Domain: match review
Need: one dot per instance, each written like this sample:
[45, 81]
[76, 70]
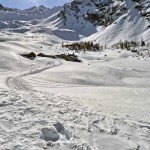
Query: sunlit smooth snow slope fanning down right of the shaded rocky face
[130, 26]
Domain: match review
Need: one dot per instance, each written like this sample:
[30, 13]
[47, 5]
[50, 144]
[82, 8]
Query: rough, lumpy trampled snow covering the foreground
[25, 116]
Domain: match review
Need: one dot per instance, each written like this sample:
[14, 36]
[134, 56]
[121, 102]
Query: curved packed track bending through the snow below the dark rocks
[19, 83]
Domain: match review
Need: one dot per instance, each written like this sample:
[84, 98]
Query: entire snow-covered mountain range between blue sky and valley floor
[101, 21]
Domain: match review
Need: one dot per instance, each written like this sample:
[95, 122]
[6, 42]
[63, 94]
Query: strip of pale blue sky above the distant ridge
[23, 4]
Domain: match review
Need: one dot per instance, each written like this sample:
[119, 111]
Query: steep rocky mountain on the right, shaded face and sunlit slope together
[108, 20]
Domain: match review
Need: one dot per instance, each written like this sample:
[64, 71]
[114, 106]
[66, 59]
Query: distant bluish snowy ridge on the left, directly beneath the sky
[24, 20]
